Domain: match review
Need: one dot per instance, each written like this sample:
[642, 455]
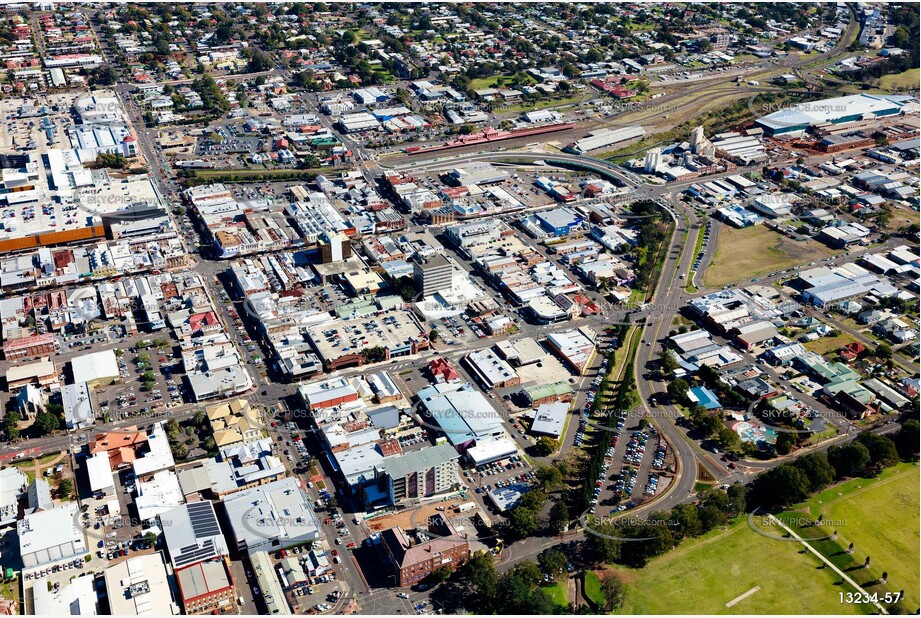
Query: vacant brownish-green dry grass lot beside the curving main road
[748, 252]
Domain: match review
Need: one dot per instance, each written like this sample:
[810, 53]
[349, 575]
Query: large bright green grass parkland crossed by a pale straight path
[704, 574]
